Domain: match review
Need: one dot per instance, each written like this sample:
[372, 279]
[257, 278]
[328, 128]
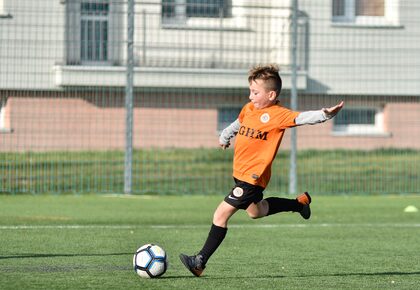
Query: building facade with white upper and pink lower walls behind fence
[63, 71]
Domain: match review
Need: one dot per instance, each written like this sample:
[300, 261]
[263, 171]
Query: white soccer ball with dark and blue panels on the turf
[150, 261]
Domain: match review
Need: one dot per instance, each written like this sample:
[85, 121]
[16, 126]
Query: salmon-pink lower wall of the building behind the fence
[64, 123]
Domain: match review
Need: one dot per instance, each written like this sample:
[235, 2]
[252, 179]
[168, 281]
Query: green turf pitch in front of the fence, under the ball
[87, 242]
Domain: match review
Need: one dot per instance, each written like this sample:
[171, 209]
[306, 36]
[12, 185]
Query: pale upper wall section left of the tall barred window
[31, 43]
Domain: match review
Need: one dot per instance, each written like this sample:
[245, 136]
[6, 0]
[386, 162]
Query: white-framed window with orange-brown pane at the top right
[365, 12]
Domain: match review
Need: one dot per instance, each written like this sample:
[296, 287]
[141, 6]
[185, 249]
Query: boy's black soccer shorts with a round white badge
[243, 194]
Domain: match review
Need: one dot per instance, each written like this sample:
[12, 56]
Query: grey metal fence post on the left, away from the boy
[128, 175]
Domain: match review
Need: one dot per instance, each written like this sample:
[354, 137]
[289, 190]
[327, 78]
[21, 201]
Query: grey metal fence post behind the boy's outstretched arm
[293, 102]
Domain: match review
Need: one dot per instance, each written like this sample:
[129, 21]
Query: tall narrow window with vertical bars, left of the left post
[94, 31]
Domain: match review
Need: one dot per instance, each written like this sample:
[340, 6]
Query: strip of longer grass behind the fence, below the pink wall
[207, 171]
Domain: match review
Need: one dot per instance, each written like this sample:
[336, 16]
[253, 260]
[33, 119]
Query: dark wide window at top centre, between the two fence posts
[178, 11]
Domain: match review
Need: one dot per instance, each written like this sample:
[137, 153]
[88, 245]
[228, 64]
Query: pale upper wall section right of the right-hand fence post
[363, 59]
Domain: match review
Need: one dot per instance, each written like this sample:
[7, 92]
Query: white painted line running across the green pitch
[118, 227]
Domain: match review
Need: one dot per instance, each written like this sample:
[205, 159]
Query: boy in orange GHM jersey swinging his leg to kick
[259, 130]
